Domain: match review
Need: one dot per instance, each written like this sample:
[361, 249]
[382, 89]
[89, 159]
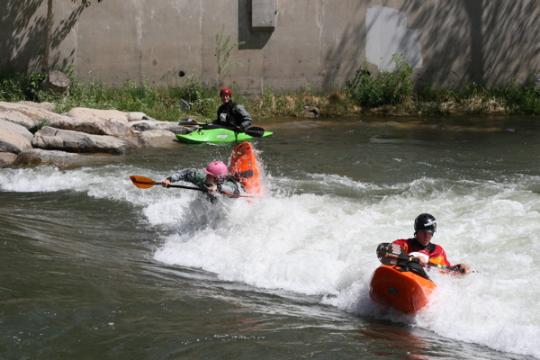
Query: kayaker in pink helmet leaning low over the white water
[214, 179]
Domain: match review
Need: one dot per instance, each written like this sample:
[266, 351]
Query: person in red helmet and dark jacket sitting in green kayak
[231, 115]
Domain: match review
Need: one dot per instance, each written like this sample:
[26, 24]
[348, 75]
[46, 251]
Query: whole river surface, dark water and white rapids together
[94, 268]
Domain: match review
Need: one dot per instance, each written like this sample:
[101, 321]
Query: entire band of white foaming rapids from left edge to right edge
[310, 243]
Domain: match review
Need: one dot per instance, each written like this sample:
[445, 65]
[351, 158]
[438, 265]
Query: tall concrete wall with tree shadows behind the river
[317, 44]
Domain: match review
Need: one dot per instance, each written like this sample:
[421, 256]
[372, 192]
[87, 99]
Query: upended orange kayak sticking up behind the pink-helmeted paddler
[244, 167]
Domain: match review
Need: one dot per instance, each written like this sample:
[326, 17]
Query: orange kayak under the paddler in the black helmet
[402, 290]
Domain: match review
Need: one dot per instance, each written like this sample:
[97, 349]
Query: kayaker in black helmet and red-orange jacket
[423, 249]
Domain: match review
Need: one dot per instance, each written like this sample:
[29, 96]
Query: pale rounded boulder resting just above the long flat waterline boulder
[98, 122]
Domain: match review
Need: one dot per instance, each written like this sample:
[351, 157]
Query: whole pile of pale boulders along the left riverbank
[32, 133]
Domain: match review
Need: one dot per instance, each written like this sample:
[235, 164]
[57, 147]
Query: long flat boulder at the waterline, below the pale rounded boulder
[74, 141]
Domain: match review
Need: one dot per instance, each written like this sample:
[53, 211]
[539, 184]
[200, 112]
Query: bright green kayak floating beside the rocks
[221, 135]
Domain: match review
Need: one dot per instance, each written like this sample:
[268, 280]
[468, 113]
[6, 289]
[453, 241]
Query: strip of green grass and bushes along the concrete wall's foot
[391, 93]
